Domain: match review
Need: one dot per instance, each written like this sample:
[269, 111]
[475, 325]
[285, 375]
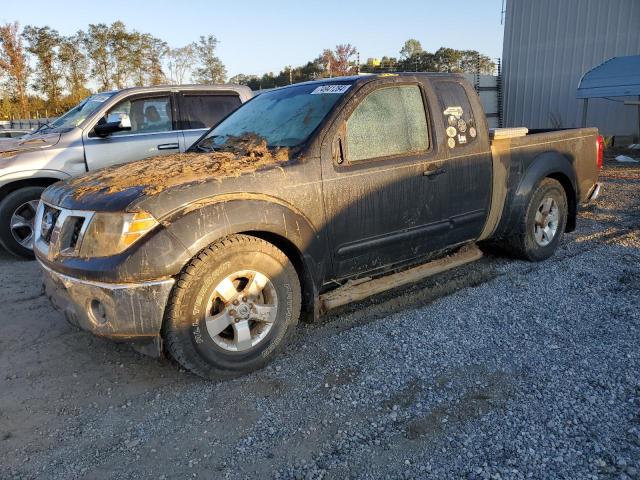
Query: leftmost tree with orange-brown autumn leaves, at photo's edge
[13, 64]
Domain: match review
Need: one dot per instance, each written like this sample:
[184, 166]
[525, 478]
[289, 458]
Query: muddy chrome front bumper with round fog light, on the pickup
[130, 311]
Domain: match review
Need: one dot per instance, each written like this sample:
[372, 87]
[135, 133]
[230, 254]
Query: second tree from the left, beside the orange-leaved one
[43, 43]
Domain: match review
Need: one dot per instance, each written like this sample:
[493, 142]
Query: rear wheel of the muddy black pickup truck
[533, 242]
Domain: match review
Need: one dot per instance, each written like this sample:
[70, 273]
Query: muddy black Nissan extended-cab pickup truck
[304, 199]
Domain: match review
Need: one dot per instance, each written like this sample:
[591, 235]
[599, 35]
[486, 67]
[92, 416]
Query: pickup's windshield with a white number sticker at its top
[284, 117]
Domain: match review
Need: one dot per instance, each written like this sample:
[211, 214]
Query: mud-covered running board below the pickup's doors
[355, 290]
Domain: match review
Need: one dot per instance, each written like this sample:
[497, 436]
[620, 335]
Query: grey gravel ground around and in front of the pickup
[500, 369]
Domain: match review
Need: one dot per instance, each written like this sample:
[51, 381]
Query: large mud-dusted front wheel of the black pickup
[203, 302]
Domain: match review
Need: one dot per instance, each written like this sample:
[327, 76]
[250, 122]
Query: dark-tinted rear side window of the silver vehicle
[204, 111]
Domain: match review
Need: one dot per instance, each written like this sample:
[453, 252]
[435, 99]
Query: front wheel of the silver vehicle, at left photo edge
[16, 209]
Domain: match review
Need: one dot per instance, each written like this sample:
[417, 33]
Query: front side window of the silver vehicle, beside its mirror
[147, 115]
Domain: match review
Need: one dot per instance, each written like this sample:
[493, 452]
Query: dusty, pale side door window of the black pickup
[389, 121]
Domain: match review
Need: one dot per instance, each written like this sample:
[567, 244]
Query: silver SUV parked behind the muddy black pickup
[104, 129]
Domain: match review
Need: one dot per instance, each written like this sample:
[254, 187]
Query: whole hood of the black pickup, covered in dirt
[117, 188]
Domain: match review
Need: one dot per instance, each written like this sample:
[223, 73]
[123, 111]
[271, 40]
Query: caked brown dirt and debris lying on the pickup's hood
[239, 155]
